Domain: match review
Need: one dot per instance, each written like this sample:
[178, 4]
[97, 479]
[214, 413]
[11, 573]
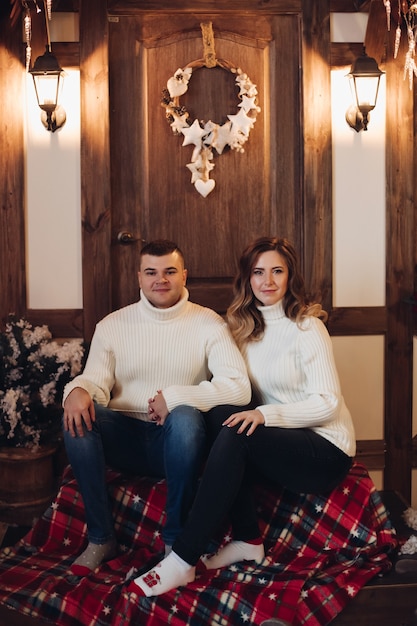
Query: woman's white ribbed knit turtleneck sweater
[293, 371]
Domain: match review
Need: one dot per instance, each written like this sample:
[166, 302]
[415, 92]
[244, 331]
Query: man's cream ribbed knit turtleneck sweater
[186, 351]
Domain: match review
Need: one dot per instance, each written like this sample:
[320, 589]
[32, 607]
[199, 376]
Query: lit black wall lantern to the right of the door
[365, 76]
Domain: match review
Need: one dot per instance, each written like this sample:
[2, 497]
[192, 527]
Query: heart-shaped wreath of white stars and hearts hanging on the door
[206, 136]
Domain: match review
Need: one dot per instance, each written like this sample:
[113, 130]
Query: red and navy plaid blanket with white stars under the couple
[320, 552]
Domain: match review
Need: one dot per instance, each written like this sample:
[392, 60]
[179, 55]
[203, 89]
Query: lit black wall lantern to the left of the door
[47, 77]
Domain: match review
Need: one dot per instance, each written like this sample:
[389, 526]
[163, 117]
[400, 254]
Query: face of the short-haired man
[162, 279]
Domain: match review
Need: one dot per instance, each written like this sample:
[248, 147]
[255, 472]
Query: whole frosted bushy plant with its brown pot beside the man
[34, 369]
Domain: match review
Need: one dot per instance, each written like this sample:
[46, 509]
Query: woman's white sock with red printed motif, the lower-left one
[170, 573]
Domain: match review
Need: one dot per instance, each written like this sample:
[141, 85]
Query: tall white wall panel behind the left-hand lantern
[53, 203]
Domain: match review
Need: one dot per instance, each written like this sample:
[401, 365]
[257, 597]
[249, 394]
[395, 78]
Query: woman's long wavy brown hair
[244, 318]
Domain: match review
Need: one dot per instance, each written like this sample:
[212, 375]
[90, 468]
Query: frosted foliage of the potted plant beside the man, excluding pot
[33, 372]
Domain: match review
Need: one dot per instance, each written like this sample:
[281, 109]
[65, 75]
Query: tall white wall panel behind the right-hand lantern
[358, 202]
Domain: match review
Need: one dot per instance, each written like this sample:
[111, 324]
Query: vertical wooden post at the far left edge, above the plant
[12, 166]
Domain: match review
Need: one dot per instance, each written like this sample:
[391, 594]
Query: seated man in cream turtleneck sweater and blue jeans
[154, 367]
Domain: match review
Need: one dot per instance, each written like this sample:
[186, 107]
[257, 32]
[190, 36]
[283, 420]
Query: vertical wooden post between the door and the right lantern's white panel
[317, 170]
